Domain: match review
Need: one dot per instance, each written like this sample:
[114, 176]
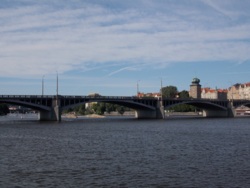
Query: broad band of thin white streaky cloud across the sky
[40, 38]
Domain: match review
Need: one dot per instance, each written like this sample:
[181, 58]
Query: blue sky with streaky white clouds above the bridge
[112, 46]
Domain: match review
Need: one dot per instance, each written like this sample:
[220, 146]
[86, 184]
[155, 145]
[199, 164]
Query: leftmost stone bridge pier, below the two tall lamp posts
[54, 114]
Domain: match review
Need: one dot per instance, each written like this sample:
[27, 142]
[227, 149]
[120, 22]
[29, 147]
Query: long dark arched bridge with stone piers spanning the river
[50, 107]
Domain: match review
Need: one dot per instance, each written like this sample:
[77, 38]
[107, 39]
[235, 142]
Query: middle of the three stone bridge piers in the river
[158, 113]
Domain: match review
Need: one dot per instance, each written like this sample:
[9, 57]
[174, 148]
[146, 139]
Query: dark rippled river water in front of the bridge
[125, 152]
